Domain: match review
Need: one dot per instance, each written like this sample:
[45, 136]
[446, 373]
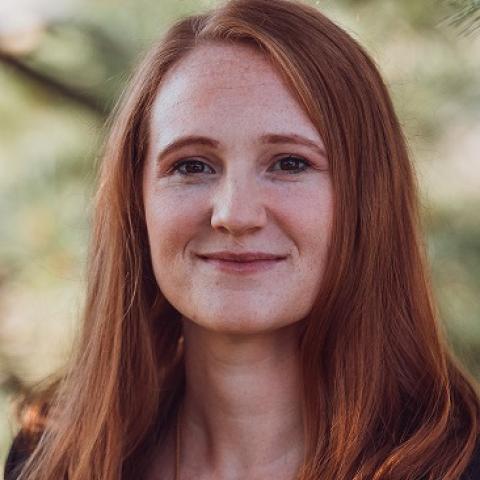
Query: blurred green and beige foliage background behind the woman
[63, 64]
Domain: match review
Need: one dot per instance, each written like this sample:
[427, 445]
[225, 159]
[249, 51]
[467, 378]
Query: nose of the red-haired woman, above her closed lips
[238, 205]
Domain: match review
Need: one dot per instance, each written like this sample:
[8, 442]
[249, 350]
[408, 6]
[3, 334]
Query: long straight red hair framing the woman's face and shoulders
[384, 396]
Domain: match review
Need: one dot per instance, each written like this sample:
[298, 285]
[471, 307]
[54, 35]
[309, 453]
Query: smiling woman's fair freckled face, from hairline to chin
[235, 165]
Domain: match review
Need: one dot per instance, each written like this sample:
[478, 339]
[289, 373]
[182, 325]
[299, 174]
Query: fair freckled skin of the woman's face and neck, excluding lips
[242, 415]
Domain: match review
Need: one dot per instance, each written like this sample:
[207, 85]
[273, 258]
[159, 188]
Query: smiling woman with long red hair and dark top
[258, 303]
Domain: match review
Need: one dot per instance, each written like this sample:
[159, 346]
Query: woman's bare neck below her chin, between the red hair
[242, 415]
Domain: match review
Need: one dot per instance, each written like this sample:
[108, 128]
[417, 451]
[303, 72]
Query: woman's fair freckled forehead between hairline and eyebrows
[224, 89]
